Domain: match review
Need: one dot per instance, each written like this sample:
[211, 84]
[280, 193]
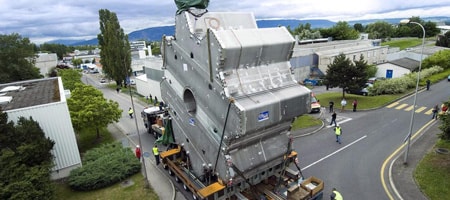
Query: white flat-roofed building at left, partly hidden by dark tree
[45, 101]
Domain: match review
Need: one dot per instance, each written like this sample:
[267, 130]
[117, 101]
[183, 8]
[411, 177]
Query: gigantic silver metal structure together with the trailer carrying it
[231, 98]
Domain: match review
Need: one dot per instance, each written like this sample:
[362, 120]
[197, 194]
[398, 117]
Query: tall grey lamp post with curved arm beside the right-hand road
[408, 138]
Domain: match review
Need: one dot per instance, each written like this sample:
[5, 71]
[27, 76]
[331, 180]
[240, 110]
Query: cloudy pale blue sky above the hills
[46, 20]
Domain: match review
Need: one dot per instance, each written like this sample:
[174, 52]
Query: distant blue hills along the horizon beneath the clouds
[156, 33]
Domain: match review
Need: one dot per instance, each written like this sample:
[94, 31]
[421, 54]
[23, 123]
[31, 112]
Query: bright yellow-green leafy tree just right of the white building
[88, 108]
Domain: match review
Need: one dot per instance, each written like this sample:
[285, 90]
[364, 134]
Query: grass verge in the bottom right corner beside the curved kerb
[433, 173]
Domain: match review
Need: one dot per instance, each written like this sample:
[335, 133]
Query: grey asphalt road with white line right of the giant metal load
[369, 137]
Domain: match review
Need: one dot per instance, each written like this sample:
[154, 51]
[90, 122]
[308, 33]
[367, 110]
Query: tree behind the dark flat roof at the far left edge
[17, 59]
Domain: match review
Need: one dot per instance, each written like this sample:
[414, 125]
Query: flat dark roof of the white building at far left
[30, 93]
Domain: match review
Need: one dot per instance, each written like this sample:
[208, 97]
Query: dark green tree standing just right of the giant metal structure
[346, 75]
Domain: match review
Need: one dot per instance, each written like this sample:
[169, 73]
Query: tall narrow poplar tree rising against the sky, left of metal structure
[115, 48]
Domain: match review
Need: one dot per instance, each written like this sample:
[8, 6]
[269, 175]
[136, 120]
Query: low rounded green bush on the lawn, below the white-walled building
[104, 166]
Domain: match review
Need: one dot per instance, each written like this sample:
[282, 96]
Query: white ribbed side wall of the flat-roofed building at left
[54, 119]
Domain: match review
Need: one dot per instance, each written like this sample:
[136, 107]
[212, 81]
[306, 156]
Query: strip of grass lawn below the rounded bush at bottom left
[135, 190]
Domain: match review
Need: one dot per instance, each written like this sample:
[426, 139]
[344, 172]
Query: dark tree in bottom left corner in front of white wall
[25, 160]
